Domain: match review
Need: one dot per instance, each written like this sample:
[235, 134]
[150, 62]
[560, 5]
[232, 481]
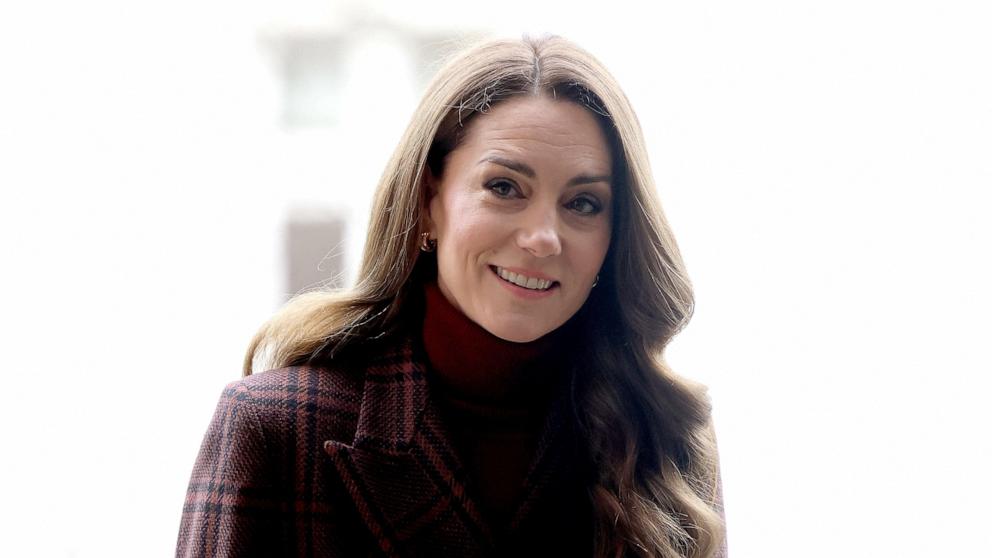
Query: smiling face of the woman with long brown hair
[522, 216]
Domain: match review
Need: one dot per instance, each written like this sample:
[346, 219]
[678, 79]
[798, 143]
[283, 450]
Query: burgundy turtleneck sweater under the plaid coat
[494, 395]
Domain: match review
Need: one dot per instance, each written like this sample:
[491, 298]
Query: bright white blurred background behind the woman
[171, 172]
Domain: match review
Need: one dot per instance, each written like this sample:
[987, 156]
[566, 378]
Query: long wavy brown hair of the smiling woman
[647, 431]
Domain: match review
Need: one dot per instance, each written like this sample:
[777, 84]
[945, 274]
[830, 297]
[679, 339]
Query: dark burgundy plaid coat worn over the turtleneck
[352, 459]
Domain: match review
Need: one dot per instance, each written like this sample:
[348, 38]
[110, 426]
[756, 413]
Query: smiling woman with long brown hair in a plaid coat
[493, 384]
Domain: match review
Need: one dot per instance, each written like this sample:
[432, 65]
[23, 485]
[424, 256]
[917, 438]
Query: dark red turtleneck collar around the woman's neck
[472, 364]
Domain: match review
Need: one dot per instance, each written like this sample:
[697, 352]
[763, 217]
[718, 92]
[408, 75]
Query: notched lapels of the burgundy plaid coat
[403, 472]
